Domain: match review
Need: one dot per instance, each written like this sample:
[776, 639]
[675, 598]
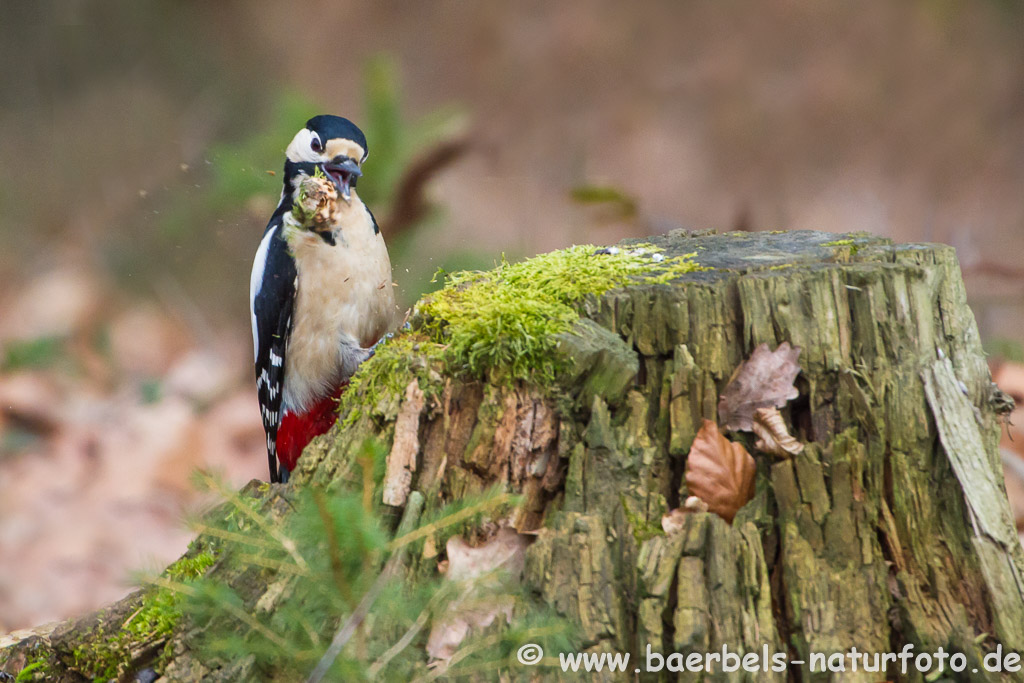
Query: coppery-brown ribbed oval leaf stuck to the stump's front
[720, 473]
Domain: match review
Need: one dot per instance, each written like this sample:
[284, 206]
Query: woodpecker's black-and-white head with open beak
[333, 145]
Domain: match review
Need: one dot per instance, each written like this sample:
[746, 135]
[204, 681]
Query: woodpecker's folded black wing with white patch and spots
[273, 300]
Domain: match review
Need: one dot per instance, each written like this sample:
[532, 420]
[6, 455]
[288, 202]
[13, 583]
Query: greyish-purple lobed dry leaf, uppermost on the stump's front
[764, 380]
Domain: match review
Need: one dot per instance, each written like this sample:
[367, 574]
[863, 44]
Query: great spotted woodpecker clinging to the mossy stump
[320, 294]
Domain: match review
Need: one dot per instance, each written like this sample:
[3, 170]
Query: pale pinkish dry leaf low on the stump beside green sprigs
[465, 564]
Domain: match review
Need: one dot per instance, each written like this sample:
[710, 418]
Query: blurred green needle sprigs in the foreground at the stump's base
[332, 552]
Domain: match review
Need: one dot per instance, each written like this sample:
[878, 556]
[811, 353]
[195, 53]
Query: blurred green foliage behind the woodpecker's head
[233, 192]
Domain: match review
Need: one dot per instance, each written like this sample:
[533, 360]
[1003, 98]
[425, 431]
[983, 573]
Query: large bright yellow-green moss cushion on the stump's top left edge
[500, 325]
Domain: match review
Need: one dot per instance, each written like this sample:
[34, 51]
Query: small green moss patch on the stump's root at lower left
[102, 655]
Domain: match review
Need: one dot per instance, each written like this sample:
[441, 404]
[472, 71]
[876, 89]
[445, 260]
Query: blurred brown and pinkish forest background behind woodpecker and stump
[142, 146]
